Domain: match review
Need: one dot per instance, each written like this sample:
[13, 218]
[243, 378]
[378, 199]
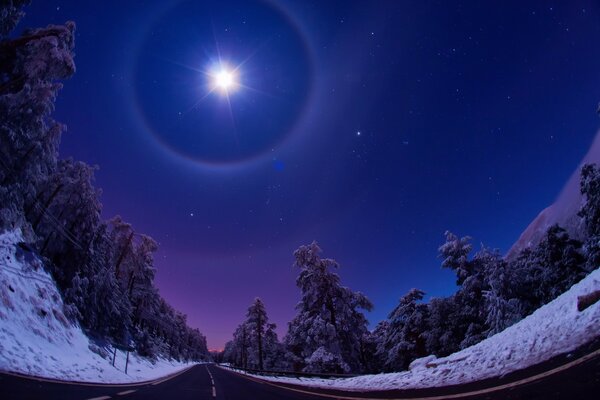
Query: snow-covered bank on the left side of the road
[37, 339]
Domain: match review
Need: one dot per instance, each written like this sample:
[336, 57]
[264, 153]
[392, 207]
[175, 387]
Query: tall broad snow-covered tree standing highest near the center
[328, 319]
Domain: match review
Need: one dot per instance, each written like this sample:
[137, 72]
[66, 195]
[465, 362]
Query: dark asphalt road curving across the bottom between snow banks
[210, 382]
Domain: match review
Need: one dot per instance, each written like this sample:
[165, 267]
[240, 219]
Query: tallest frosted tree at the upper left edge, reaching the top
[30, 67]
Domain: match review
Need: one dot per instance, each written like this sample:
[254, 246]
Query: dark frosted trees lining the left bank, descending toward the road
[104, 269]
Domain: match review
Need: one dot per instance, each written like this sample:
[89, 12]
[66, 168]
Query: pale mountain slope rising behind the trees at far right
[563, 211]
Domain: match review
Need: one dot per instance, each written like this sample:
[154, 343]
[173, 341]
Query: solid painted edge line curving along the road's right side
[442, 397]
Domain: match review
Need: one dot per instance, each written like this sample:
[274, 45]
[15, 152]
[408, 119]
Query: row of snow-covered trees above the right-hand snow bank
[329, 332]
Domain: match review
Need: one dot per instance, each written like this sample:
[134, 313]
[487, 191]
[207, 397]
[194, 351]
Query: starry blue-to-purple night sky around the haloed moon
[371, 127]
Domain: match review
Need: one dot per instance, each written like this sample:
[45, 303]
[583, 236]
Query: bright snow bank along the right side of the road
[554, 329]
